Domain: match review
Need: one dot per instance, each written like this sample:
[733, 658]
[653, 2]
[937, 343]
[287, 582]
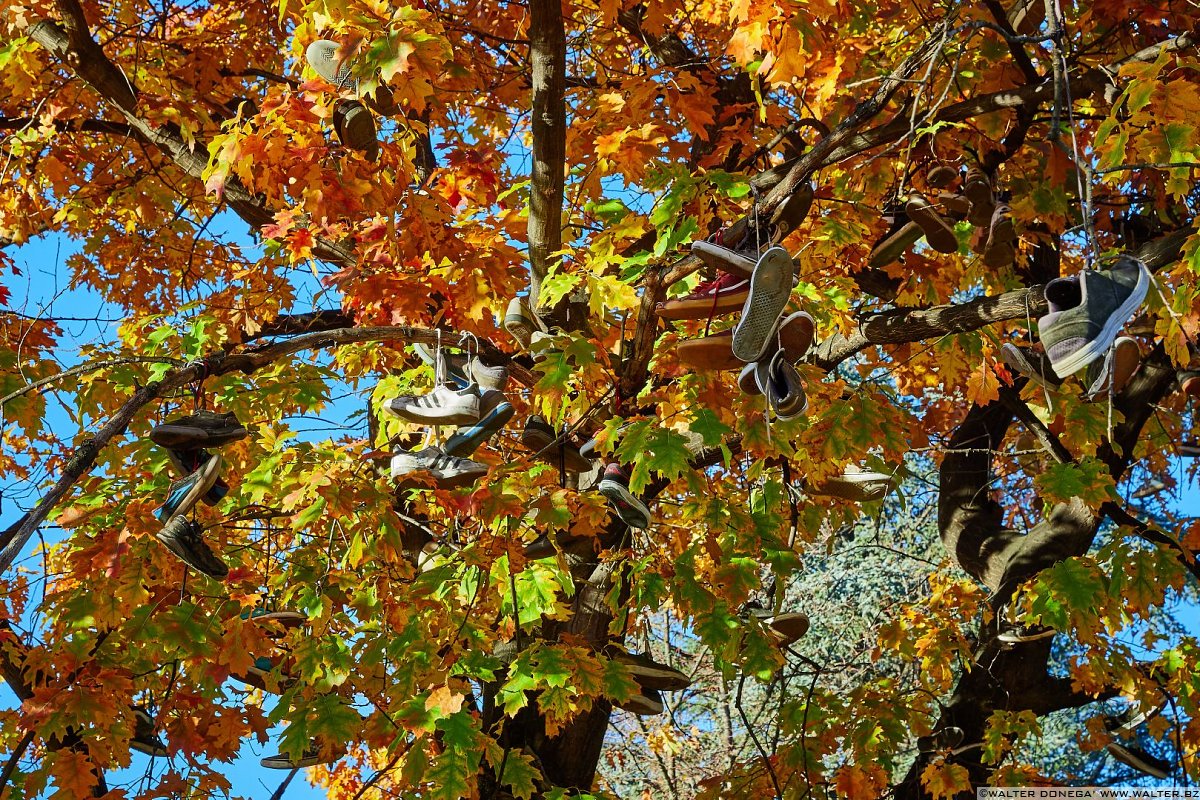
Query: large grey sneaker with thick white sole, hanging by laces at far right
[1088, 311]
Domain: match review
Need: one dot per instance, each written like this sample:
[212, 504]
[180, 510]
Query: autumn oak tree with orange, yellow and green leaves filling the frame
[597, 140]
